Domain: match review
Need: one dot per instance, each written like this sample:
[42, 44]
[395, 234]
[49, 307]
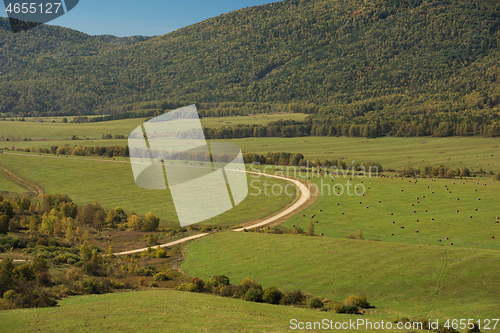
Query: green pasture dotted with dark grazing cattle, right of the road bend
[426, 206]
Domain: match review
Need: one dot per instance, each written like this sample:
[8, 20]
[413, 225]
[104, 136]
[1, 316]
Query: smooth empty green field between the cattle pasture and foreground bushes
[404, 280]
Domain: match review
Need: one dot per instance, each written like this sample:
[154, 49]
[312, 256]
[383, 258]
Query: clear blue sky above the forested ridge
[145, 17]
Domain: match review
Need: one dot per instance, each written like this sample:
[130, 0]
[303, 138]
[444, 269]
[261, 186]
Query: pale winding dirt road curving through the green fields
[305, 195]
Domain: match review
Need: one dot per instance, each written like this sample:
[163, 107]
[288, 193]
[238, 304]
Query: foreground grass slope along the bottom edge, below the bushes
[161, 311]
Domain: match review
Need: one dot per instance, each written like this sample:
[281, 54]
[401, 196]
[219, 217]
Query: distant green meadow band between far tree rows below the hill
[393, 153]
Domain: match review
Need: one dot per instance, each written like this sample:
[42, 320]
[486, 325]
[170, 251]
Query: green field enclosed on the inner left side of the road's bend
[111, 183]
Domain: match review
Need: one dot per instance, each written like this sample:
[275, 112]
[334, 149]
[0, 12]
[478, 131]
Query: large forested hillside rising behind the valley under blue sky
[354, 60]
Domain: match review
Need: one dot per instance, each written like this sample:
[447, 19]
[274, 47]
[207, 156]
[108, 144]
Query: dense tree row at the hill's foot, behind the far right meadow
[363, 127]
